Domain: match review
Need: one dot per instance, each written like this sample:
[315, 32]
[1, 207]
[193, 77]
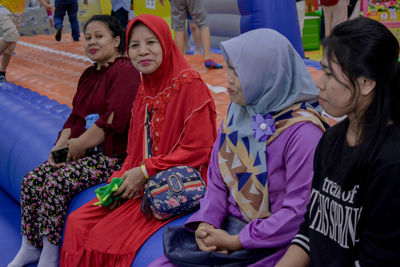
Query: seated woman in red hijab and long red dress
[182, 132]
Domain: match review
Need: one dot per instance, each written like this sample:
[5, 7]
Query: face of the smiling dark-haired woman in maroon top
[100, 46]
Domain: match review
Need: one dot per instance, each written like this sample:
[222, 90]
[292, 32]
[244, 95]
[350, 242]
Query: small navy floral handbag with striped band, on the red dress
[171, 192]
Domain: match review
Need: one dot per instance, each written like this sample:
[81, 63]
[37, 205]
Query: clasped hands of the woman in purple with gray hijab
[211, 239]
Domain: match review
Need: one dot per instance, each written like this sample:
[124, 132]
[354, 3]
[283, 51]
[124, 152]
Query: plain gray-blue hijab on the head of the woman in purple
[272, 73]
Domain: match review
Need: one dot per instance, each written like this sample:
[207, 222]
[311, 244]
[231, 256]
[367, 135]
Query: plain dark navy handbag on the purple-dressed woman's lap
[180, 248]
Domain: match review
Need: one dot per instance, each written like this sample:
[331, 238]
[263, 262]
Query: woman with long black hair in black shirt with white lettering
[353, 215]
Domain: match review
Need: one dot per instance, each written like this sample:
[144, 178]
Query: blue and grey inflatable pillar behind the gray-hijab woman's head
[229, 18]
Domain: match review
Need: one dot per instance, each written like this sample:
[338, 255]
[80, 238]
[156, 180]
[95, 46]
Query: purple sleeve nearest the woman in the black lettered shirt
[281, 227]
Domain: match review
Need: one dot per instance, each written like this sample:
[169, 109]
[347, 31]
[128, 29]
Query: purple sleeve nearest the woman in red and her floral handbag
[214, 205]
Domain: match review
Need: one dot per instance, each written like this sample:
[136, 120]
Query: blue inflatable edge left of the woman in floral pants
[28, 129]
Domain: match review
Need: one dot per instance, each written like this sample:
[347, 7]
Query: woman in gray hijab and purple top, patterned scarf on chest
[260, 171]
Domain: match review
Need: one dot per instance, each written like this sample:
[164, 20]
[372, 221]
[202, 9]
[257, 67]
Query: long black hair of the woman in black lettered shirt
[365, 48]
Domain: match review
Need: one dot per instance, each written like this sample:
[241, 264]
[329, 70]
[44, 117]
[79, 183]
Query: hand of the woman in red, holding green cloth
[132, 185]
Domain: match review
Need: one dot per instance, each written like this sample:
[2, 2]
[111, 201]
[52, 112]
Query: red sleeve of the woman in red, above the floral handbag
[194, 147]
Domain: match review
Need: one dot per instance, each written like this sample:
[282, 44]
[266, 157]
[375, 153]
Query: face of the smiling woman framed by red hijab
[145, 49]
